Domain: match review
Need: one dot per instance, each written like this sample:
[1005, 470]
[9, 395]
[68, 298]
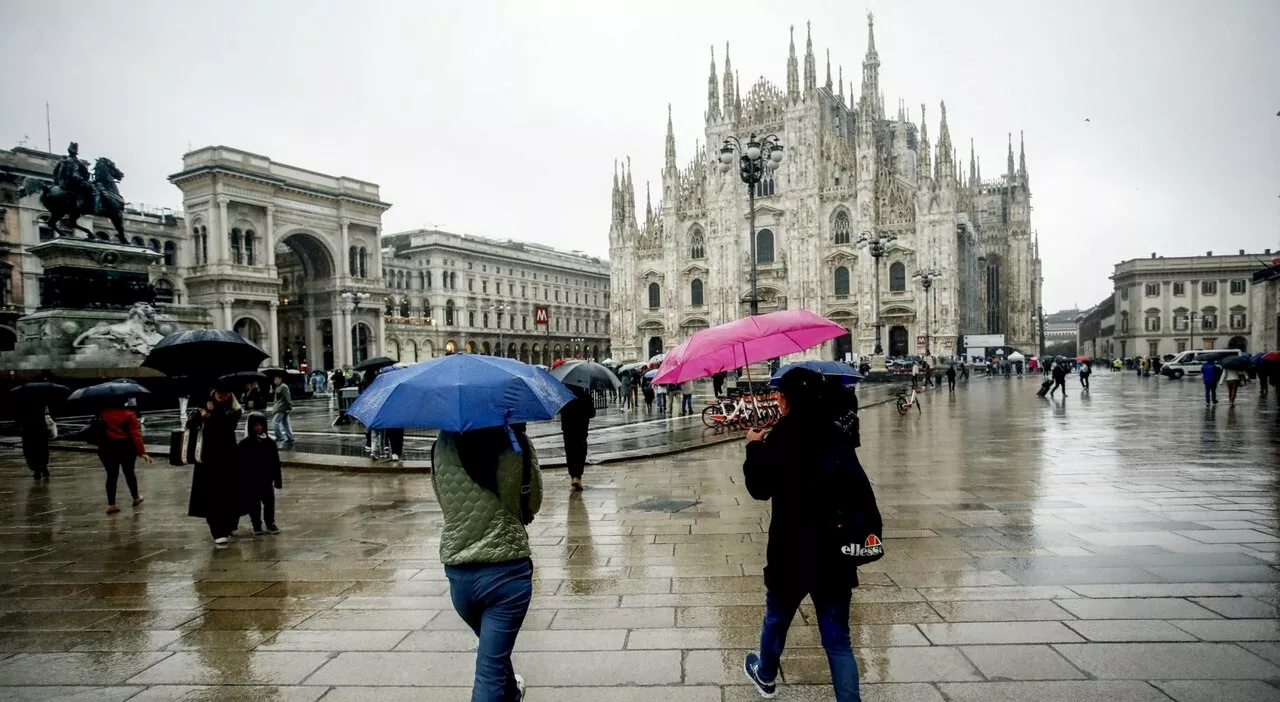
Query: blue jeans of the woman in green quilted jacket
[493, 600]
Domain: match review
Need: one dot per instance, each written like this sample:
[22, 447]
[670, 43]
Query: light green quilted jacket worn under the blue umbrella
[482, 527]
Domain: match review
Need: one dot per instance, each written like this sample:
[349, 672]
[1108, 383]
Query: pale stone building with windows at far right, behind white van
[1168, 306]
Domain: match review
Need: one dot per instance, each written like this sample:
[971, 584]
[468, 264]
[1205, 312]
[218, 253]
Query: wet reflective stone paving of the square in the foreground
[1113, 546]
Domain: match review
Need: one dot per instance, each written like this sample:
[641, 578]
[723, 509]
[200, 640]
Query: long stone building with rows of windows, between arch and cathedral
[467, 294]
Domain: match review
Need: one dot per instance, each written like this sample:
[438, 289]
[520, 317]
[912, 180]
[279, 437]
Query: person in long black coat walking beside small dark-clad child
[217, 485]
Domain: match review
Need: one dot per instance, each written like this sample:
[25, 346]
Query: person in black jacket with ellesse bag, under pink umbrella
[808, 471]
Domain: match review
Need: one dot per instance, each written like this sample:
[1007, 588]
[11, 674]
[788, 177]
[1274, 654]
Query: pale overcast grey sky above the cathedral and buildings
[505, 118]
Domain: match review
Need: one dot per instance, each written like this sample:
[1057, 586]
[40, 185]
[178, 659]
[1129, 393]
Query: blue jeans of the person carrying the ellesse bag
[780, 609]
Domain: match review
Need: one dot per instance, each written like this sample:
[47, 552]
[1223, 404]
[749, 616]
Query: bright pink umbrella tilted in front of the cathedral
[744, 343]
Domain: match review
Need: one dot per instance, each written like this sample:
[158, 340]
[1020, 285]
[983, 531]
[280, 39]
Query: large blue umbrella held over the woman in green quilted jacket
[459, 394]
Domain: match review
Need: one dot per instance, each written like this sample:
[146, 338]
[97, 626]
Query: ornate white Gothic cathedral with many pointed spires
[849, 170]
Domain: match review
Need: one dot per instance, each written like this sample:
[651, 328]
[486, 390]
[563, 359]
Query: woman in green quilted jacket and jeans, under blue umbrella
[478, 481]
